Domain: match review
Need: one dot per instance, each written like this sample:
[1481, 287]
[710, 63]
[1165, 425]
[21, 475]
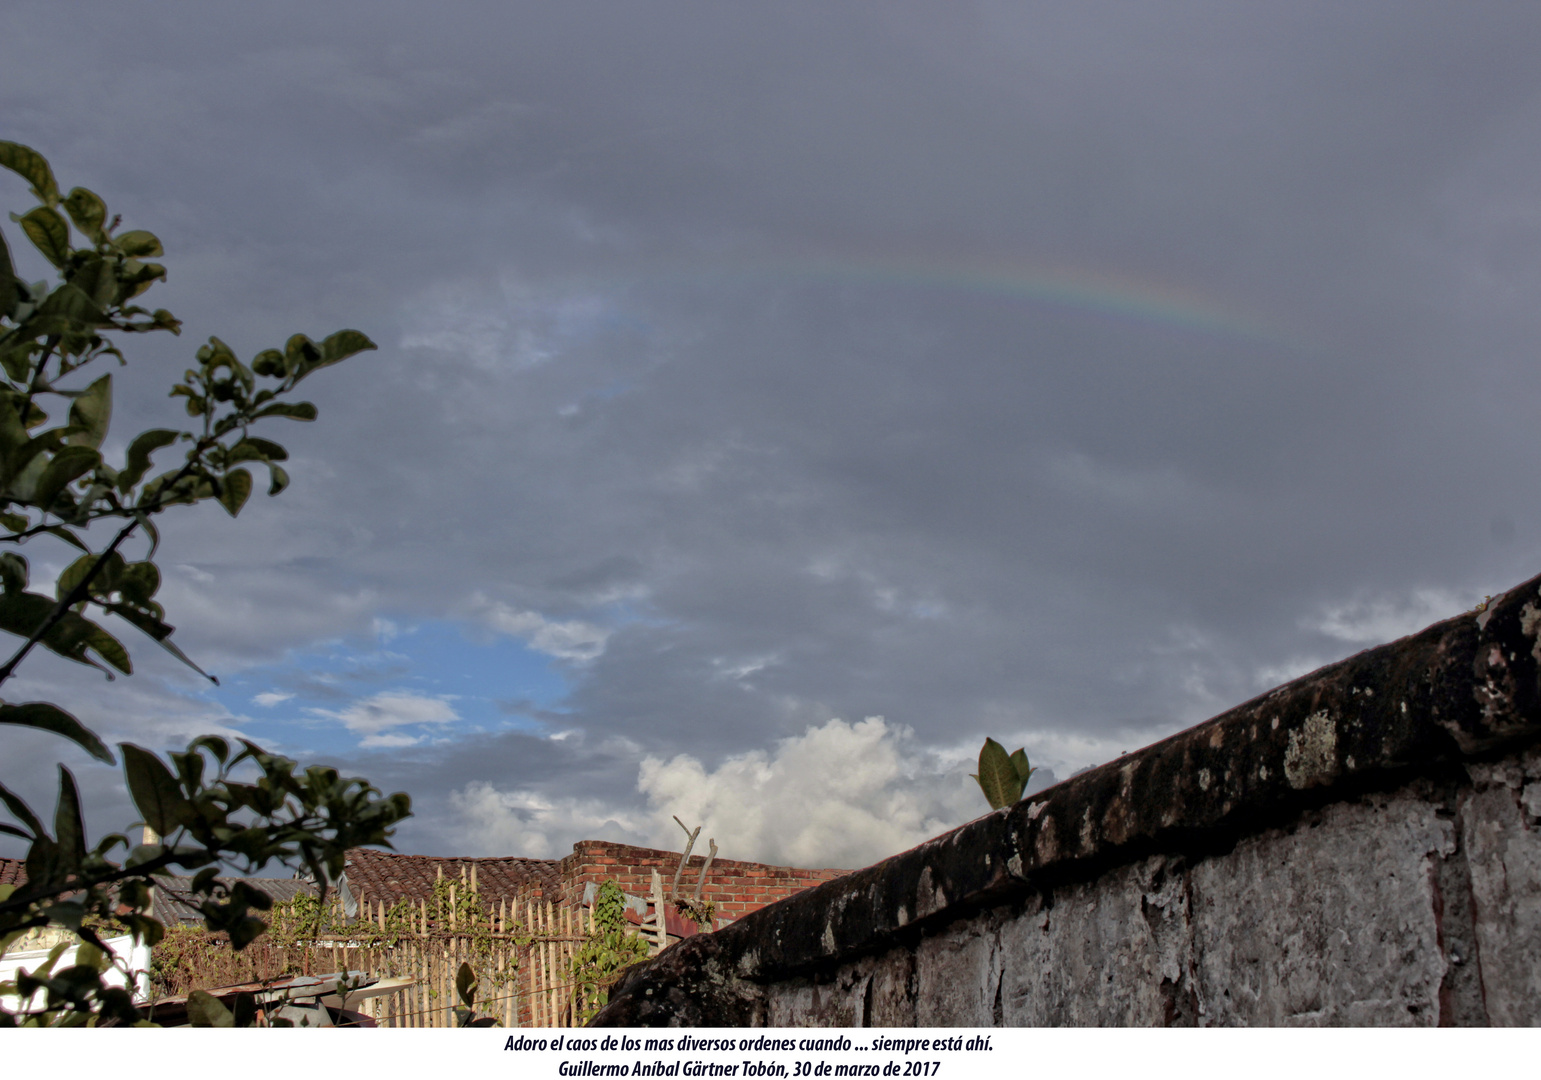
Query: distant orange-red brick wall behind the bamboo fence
[734, 887]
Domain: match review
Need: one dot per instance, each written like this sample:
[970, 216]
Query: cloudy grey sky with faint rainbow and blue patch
[773, 401]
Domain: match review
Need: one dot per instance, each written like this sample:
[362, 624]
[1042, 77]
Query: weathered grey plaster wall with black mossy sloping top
[1361, 847]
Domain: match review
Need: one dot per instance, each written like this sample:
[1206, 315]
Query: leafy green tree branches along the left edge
[213, 805]
